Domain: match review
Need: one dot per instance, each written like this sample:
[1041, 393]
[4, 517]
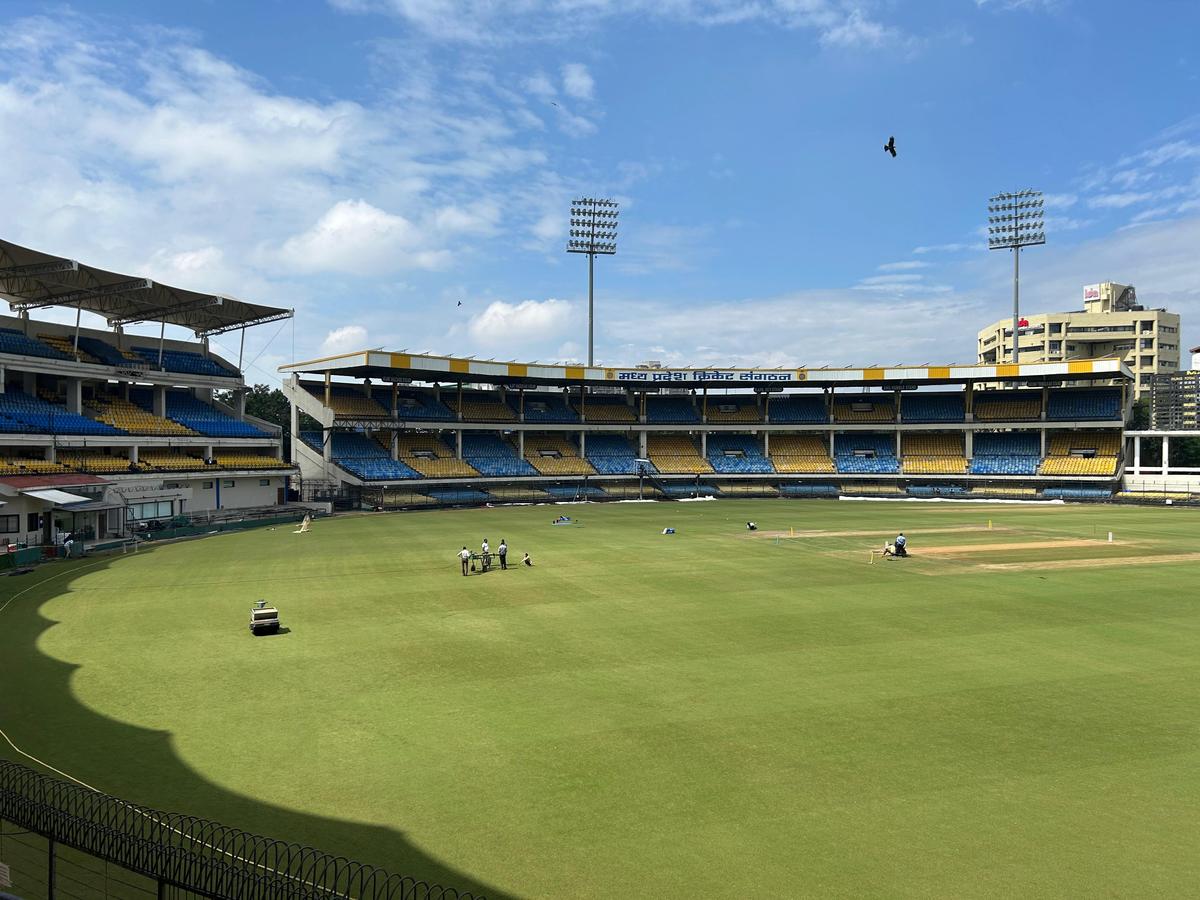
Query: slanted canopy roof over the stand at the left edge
[31, 280]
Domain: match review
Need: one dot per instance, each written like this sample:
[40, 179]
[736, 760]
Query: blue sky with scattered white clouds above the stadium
[373, 163]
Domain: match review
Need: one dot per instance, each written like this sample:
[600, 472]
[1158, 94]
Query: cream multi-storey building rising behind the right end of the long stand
[1112, 323]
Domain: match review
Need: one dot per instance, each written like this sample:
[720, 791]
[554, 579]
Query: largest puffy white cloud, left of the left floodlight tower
[357, 238]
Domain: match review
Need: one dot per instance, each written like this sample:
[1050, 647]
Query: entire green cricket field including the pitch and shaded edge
[1012, 712]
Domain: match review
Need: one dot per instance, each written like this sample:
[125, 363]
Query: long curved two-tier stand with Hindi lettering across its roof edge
[413, 430]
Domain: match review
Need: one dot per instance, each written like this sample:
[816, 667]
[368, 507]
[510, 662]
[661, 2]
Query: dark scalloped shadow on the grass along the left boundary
[44, 717]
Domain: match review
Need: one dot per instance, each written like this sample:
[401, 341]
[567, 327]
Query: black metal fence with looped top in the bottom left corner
[61, 841]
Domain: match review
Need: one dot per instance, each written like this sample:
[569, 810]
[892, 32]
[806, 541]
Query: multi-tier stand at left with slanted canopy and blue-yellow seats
[104, 433]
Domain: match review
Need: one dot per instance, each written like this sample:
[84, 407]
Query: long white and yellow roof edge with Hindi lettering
[421, 368]
